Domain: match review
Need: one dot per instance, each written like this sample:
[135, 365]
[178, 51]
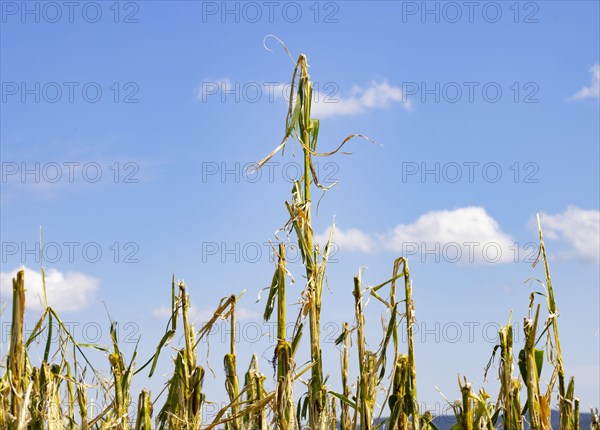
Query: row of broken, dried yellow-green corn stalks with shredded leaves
[53, 394]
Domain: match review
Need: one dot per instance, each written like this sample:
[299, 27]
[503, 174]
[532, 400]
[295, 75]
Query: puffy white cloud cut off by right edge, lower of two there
[580, 228]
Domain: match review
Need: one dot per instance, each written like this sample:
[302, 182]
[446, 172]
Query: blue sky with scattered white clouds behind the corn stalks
[135, 130]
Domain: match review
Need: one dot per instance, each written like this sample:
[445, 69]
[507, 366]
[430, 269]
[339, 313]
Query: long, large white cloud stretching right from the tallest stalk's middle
[466, 235]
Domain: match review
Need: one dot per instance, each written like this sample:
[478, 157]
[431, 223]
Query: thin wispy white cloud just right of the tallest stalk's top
[378, 95]
